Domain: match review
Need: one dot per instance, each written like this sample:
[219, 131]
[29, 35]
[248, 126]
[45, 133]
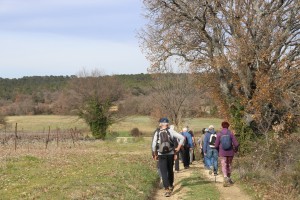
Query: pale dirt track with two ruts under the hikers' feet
[226, 193]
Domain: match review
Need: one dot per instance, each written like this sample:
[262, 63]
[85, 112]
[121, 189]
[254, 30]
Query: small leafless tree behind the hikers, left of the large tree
[171, 95]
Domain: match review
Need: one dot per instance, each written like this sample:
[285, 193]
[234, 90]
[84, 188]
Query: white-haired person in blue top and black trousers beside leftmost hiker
[187, 146]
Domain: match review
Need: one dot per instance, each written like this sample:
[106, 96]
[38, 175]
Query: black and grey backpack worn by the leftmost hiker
[165, 141]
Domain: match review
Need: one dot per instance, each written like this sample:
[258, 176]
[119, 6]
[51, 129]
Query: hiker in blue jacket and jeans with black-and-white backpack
[210, 151]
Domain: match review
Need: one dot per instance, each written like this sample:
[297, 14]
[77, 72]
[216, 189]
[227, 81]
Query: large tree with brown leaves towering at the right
[250, 47]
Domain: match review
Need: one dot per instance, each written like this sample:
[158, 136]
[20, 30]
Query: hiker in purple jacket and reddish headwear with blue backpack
[228, 145]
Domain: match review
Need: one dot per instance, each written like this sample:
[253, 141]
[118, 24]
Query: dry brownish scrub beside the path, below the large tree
[273, 171]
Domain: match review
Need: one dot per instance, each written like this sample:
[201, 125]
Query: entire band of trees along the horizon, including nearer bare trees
[88, 91]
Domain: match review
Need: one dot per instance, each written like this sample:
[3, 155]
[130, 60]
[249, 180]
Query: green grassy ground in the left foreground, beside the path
[88, 170]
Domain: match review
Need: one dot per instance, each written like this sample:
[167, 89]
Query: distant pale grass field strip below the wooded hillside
[41, 123]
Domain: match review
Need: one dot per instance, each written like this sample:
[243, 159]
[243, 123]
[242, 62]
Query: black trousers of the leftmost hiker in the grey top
[166, 163]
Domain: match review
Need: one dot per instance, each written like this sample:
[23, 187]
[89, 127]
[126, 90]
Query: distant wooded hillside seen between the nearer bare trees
[37, 95]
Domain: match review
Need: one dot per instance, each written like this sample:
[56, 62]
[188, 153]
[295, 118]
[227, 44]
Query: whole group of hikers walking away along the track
[169, 146]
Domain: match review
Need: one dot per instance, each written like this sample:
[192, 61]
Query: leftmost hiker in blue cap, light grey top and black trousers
[163, 145]
